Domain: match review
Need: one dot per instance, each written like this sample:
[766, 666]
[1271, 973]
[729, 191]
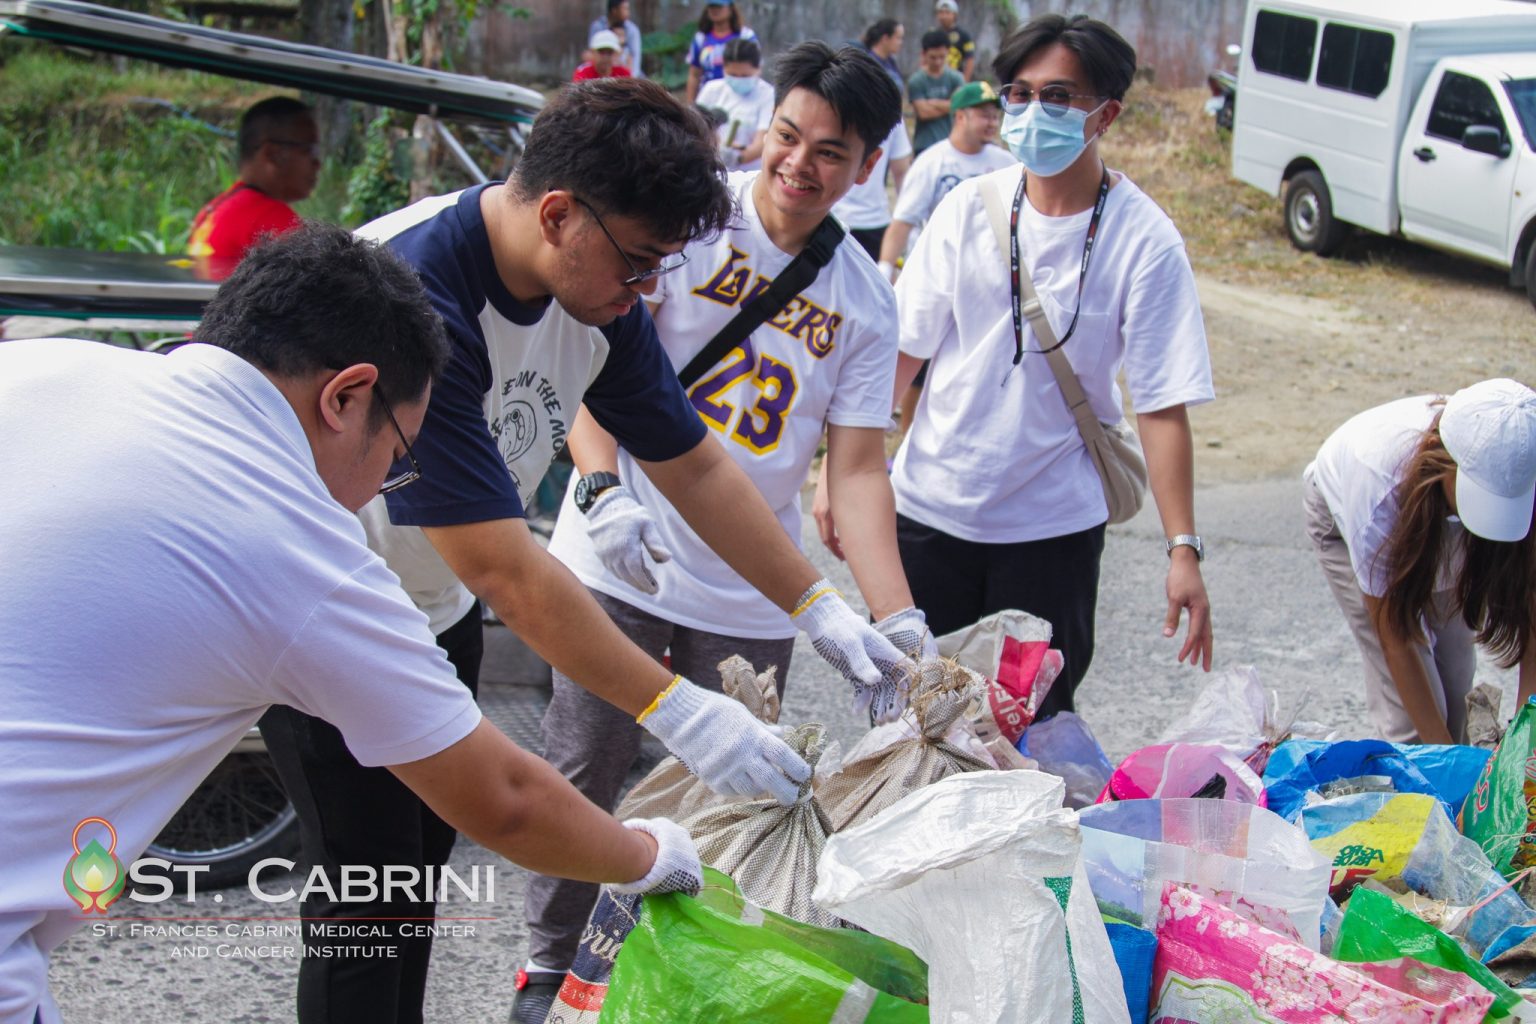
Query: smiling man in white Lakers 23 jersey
[826, 360]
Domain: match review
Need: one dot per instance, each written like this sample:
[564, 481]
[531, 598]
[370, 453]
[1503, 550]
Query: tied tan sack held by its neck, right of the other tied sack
[927, 744]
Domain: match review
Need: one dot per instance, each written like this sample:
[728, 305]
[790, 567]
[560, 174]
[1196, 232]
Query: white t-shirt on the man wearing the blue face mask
[995, 455]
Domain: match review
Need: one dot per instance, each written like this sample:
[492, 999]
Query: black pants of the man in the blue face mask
[958, 583]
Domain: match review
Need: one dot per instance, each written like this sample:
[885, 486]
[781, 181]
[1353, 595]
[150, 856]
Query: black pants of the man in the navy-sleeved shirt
[351, 814]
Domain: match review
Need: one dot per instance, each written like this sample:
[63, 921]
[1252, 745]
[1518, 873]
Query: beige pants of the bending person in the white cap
[1451, 658]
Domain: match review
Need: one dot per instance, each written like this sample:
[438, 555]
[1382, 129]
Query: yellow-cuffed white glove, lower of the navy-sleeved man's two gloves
[724, 744]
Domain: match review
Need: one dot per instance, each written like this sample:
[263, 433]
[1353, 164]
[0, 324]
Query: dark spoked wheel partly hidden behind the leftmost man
[237, 818]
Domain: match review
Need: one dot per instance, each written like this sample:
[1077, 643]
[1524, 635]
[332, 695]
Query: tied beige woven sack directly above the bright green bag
[769, 850]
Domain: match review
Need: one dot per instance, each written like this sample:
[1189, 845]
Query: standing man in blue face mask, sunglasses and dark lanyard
[1015, 517]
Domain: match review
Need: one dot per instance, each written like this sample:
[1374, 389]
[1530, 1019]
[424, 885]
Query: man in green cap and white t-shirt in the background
[972, 150]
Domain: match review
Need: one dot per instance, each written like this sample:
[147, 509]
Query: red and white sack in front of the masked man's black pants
[1011, 650]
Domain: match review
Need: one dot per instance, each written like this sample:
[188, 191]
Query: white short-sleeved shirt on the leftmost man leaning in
[173, 566]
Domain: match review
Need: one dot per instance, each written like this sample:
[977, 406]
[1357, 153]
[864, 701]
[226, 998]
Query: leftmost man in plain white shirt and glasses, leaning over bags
[182, 553]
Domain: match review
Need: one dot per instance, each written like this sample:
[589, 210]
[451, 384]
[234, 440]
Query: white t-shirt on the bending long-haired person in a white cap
[1359, 471]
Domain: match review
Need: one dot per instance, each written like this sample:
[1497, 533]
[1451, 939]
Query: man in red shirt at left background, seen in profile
[279, 165]
